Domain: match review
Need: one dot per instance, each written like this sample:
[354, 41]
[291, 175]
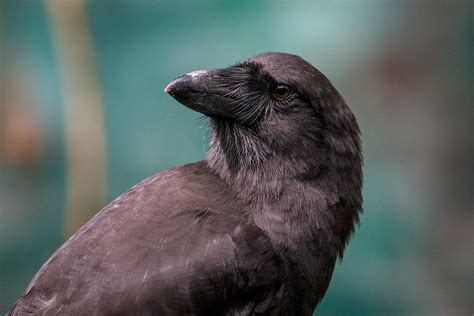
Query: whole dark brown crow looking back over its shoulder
[256, 228]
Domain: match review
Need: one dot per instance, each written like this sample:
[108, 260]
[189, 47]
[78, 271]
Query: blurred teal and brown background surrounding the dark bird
[83, 117]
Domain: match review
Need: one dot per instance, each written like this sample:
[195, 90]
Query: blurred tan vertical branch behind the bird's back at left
[85, 139]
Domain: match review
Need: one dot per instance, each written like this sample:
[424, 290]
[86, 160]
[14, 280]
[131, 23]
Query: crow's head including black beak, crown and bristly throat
[273, 116]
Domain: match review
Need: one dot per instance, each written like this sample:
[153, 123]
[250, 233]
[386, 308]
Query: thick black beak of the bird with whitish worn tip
[202, 92]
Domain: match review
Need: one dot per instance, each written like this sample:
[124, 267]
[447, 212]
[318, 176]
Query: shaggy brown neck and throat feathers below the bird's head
[318, 190]
